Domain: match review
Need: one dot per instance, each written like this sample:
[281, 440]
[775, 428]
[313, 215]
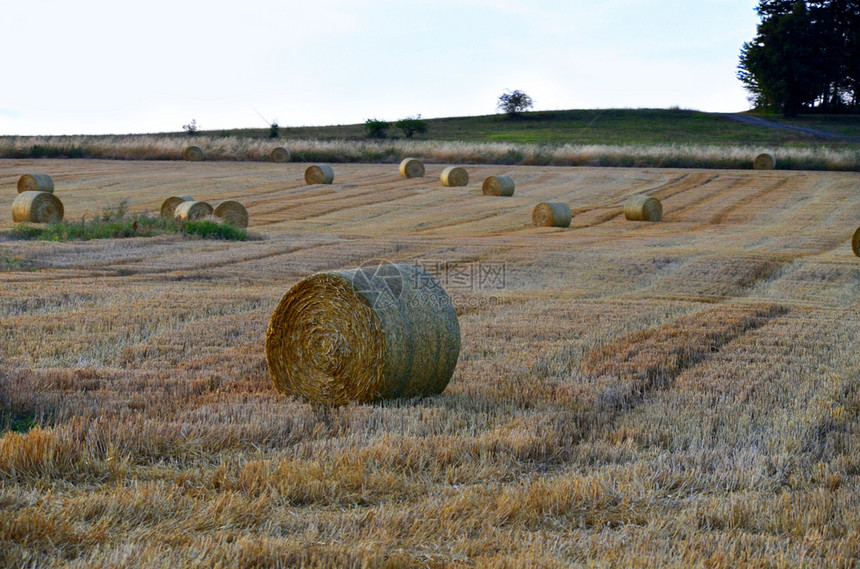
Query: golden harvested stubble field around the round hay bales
[674, 394]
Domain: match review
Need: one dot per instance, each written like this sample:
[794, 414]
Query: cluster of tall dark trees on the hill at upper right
[805, 55]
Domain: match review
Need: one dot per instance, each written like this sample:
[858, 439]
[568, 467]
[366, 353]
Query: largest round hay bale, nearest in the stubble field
[367, 334]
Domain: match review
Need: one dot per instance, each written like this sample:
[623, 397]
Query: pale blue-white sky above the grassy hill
[122, 67]
